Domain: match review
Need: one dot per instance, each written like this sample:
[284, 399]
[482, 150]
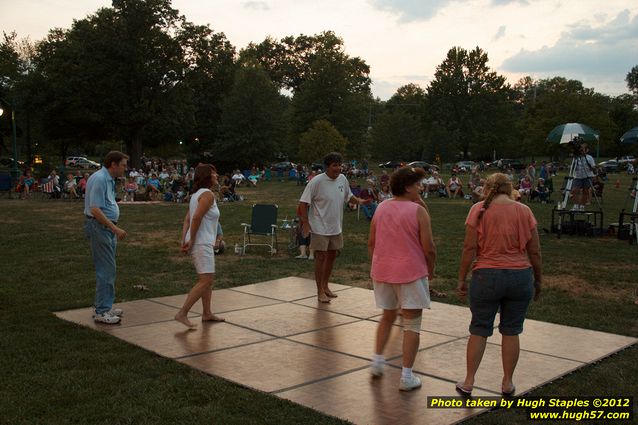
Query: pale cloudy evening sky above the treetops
[404, 41]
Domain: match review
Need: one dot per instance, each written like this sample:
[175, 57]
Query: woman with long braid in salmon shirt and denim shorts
[502, 247]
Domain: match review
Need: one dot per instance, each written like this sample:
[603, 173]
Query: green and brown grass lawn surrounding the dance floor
[54, 372]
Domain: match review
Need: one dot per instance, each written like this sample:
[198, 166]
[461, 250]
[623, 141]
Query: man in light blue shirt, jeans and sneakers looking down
[102, 213]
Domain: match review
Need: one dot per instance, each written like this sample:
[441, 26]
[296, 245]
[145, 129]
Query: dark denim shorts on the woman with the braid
[507, 290]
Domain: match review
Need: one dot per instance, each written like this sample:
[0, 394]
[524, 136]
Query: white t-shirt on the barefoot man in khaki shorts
[326, 198]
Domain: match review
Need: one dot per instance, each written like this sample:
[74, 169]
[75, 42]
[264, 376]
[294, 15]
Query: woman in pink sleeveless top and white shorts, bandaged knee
[403, 254]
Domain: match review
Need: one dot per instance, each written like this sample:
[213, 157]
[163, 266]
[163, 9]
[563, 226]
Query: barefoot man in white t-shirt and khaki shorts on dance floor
[326, 194]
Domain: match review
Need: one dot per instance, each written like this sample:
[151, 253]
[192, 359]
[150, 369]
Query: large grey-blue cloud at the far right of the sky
[607, 51]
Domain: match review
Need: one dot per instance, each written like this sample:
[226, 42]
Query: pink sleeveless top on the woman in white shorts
[398, 255]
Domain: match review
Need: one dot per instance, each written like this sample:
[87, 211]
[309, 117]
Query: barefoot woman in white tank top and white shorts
[198, 238]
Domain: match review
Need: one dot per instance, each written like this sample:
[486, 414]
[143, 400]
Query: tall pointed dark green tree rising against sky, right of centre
[470, 103]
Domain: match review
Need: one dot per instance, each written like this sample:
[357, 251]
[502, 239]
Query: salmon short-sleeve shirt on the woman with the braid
[502, 235]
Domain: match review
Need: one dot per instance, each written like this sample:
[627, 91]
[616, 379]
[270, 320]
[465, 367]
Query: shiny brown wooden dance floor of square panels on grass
[277, 338]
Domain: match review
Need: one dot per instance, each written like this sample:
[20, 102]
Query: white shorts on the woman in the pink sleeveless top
[411, 296]
